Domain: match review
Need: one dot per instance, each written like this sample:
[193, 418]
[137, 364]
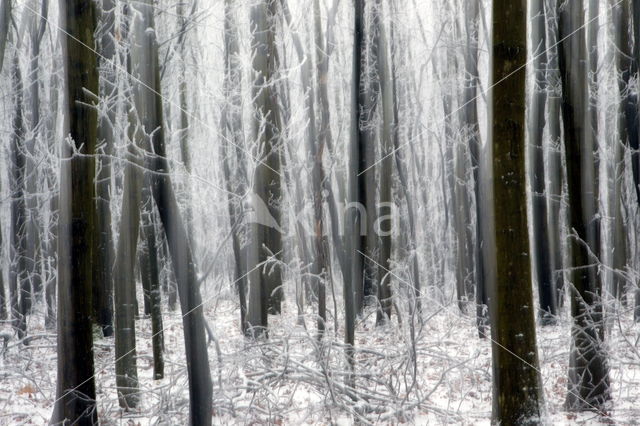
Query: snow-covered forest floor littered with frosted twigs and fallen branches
[292, 379]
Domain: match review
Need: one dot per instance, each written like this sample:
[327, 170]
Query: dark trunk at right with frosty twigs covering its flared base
[588, 368]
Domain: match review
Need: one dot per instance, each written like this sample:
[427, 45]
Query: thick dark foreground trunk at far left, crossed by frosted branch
[75, 396]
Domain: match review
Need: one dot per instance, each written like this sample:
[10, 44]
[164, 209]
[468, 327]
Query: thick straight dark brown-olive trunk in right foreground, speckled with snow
[517, 385]
